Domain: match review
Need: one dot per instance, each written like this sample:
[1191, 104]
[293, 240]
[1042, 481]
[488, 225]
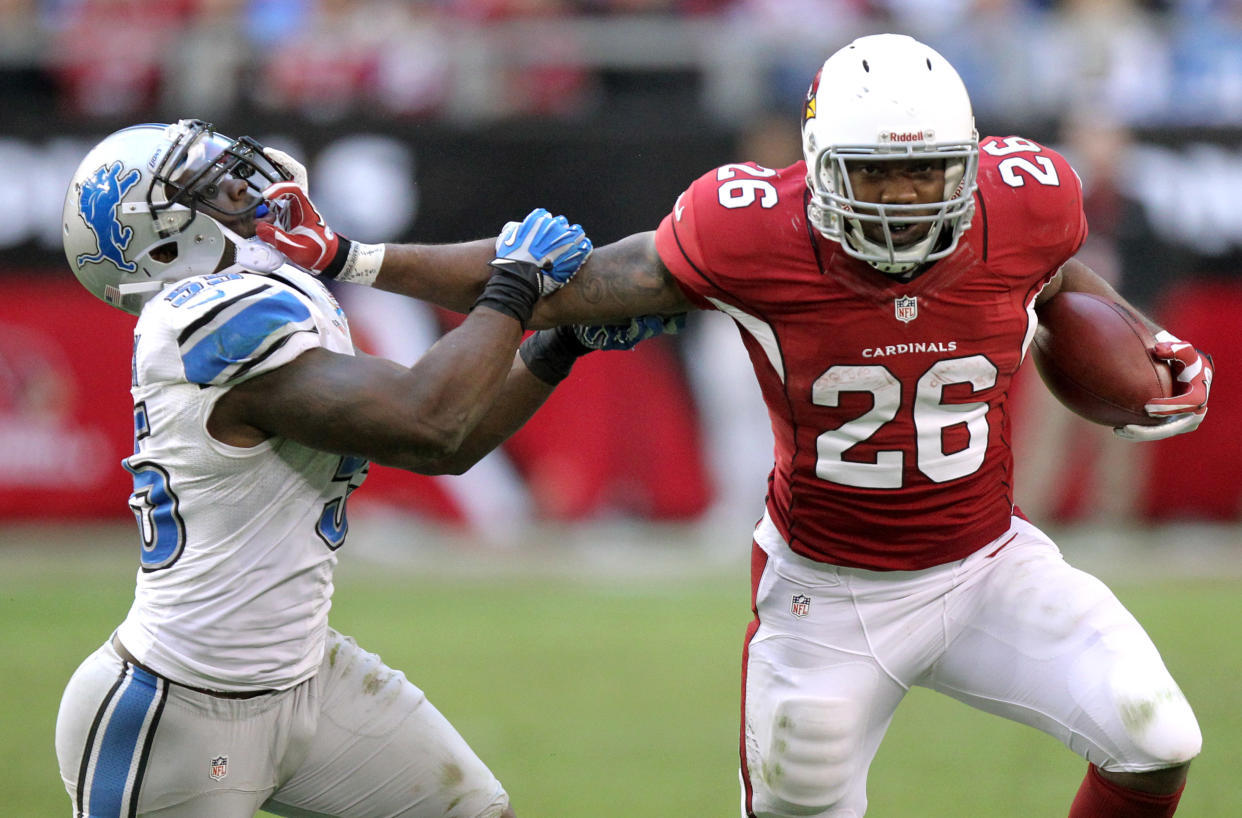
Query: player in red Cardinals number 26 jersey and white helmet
[887, 289]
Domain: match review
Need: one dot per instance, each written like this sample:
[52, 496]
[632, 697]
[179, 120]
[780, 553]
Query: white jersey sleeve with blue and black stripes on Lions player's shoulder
[230, 330]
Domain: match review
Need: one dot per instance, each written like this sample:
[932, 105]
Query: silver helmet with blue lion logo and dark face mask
[138, 214]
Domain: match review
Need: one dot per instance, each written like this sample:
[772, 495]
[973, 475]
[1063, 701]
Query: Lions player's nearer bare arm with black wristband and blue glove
[459, 402]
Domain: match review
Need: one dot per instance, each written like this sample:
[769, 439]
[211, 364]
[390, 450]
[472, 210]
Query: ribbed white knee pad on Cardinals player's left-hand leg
[809, 760]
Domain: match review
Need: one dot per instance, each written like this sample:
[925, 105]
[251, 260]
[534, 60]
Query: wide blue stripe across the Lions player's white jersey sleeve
[237, 341]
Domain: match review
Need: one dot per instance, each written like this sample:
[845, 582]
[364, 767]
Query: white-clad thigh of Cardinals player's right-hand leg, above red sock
[1040, 642]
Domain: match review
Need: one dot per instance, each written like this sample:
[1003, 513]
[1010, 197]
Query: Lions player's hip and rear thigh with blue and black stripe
[134, 744]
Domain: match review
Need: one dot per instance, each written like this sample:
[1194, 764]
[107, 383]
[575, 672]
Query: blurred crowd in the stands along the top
[1146, 61]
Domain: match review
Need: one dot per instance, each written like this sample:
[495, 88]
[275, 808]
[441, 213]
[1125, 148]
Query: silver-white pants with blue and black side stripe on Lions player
[358, 740]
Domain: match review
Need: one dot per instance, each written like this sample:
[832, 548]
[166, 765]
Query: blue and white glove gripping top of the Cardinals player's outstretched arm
[545, 248]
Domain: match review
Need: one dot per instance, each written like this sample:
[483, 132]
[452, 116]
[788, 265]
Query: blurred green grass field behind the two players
[607, 693]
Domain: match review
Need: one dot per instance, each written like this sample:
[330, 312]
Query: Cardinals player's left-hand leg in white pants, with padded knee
[817, 702]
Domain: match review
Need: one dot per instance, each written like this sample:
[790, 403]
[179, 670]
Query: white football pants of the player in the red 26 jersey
[1012, 630]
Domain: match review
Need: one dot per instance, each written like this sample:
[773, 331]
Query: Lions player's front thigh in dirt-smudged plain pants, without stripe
[382, 749]
